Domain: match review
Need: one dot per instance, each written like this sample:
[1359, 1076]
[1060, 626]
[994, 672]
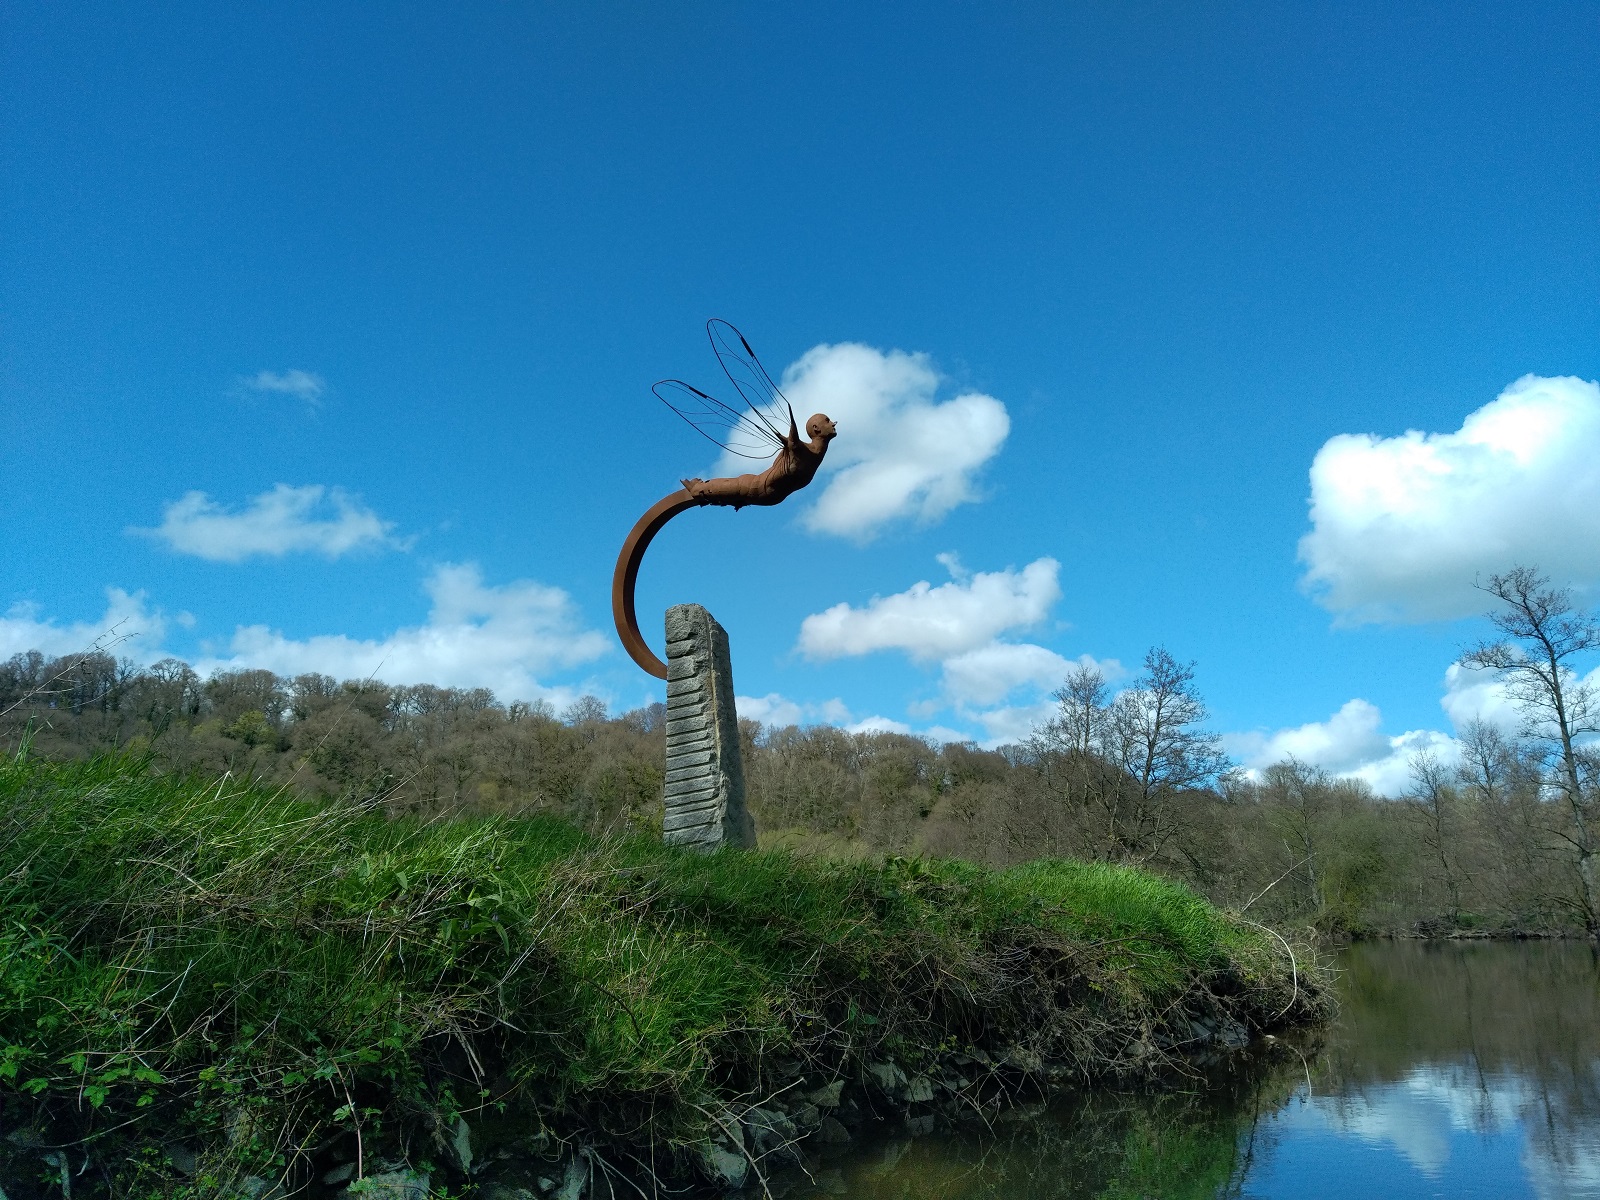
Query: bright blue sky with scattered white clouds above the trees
[388, 286]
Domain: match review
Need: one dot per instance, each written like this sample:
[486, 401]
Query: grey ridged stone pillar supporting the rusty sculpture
[705, 802]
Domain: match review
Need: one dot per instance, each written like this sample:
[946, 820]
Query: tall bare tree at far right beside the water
[1542, 634]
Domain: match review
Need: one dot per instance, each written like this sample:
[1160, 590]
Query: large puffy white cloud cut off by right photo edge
[1404, 526]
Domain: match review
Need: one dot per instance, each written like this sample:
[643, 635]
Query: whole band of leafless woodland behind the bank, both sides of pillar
[1498, 844]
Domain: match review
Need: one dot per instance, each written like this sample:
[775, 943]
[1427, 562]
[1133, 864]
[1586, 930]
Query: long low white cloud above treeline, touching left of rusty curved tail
[478, 636]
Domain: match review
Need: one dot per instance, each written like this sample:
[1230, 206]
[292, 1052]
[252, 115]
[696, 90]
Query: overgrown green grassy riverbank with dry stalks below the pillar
[241, 983]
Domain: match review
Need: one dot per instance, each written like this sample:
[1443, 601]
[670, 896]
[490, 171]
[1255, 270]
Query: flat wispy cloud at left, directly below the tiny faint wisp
[278, 522]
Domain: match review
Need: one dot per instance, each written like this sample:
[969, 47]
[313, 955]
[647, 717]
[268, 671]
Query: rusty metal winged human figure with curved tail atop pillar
[754, 433]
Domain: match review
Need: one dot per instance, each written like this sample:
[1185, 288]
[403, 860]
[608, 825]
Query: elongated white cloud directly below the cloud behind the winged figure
[937, 623]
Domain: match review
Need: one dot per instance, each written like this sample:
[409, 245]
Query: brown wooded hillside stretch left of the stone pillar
[415, 748]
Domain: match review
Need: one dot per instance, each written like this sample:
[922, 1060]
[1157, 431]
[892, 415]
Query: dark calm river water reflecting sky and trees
[1454, 1071]
